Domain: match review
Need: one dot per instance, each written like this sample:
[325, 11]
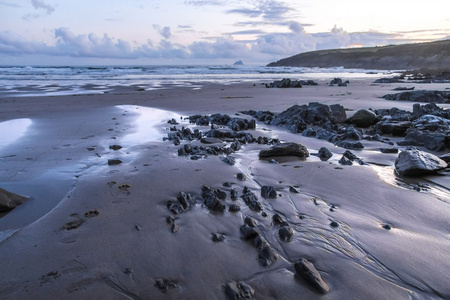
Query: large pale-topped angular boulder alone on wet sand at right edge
[413, 162]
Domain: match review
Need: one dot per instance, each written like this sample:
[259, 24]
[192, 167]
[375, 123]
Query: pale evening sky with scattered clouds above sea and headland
[136, 32]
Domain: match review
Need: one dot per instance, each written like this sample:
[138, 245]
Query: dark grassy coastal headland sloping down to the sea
[432, 55]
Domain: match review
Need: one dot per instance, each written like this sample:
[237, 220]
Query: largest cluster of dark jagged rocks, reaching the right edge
[427, 125]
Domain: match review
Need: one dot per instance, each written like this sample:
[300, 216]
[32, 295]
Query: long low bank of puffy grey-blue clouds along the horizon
[267, 47]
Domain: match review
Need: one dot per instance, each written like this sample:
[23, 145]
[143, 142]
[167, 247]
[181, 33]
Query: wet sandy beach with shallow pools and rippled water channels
[95, 228]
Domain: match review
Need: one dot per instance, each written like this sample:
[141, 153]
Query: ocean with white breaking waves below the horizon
[18, 81]
